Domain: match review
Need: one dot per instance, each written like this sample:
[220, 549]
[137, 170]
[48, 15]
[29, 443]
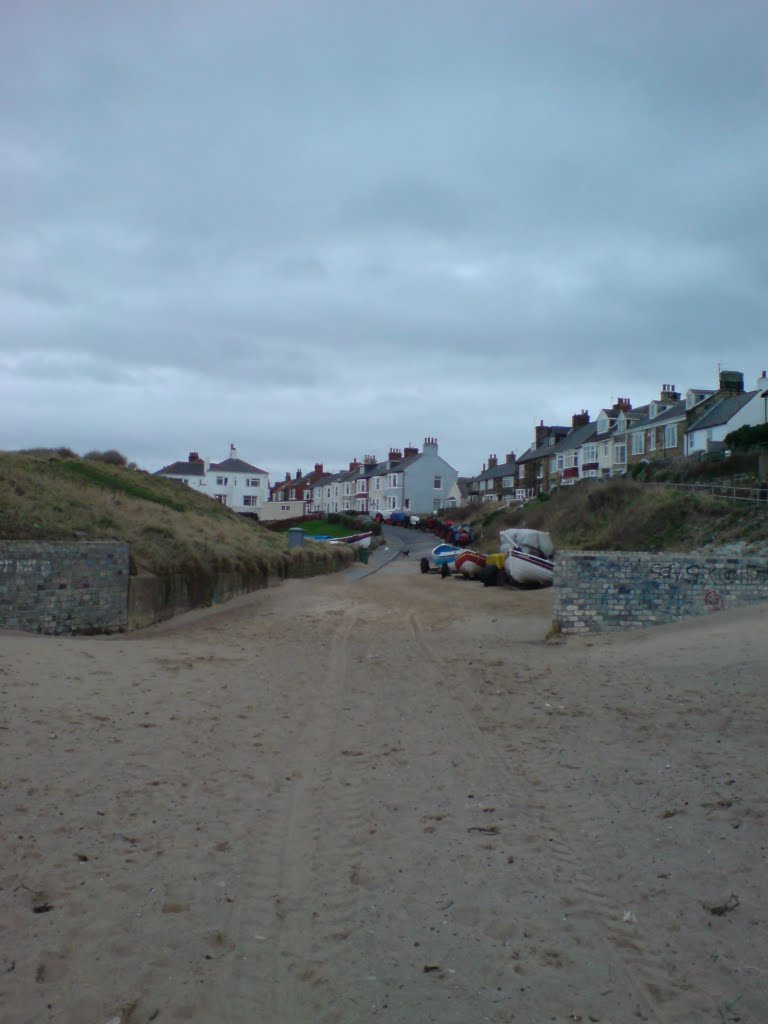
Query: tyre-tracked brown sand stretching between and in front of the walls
[392, 798]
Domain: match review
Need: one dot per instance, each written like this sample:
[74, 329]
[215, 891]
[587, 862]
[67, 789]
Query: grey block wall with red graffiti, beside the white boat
[599, 591]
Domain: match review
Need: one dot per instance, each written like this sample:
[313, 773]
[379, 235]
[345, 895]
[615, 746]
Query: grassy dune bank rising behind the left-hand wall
[169, 529]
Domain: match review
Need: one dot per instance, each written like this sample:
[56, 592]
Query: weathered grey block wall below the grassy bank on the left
[64, 588]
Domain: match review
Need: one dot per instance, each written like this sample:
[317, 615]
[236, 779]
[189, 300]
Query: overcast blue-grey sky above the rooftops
[318, 230]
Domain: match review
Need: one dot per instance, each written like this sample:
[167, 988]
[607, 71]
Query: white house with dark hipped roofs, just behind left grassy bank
[238, 485]
